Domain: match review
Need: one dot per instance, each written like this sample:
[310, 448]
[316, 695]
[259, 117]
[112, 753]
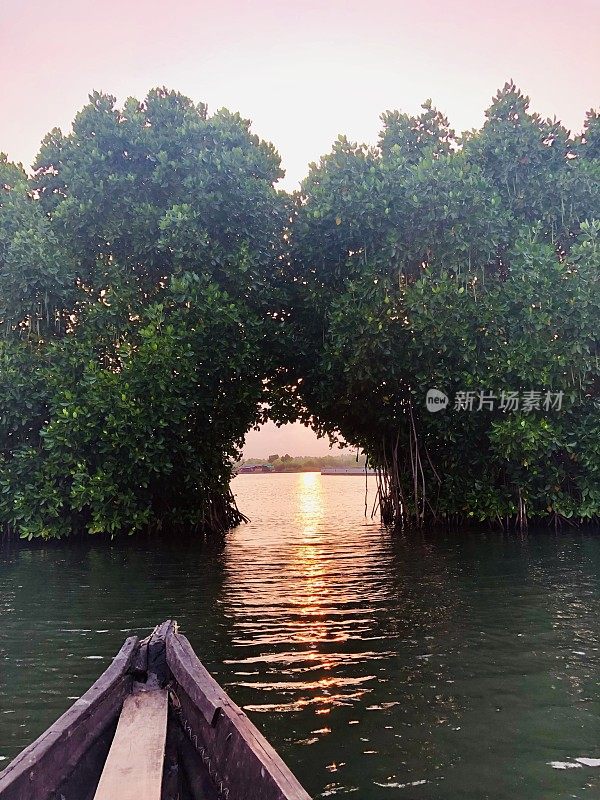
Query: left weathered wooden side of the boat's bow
[48, 761]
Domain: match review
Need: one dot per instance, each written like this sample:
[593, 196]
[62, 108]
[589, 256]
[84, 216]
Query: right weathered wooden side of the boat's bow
[241, 758]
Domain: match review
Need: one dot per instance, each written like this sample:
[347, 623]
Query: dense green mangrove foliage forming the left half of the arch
[138, 284]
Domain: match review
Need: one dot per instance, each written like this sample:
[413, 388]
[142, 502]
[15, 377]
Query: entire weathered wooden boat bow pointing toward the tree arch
[112, 736]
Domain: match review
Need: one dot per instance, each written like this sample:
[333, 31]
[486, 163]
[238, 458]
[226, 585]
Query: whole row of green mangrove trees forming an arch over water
[158, 293]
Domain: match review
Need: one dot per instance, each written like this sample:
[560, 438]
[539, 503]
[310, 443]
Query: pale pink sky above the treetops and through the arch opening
[302, 71]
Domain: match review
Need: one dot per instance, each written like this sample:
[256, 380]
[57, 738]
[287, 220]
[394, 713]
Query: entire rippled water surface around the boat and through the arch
[446, 667]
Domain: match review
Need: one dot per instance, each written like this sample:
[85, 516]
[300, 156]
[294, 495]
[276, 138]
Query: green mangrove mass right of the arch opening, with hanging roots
[460, 264]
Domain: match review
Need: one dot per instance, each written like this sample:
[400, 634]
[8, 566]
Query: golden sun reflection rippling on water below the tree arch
[303, 601]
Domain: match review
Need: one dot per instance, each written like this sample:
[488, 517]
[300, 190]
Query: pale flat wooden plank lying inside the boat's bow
[134, 766]
